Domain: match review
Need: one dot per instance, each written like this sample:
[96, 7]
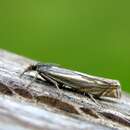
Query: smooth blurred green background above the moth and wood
[91, 36]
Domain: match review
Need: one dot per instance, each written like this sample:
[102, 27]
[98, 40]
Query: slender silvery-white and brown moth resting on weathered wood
[81, 82]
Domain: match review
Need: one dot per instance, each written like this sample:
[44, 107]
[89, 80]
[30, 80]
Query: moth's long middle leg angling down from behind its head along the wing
[47, 78]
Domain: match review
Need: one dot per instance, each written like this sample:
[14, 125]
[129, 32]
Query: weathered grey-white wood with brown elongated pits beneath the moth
[40, 107]
